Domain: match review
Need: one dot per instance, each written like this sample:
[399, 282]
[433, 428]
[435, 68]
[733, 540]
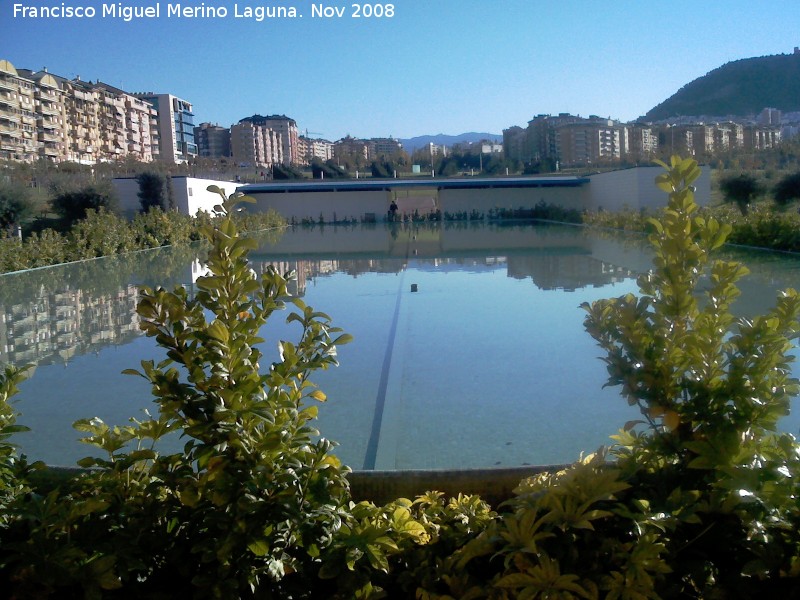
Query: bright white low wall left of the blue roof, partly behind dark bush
[190, 194]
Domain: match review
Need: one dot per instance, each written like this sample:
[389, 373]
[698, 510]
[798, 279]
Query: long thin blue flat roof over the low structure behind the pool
[372, 185]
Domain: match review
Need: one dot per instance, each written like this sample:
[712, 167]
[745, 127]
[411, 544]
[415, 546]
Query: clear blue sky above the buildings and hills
[436, 66]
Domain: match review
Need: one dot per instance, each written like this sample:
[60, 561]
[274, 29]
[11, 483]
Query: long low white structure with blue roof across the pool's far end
[369, 199]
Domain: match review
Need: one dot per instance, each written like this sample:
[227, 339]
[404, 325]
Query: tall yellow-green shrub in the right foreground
[711, 389]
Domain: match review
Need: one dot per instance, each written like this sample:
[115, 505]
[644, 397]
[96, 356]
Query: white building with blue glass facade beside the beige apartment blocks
[174, 127]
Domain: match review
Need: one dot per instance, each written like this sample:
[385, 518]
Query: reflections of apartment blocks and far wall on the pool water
[51, 315]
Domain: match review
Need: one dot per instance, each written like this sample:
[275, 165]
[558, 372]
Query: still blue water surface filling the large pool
[469, 344]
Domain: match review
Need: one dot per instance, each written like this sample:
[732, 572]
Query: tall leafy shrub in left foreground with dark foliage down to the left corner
[253, 498]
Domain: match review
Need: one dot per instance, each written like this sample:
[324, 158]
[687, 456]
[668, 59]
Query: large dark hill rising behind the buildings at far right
[742, 87]
